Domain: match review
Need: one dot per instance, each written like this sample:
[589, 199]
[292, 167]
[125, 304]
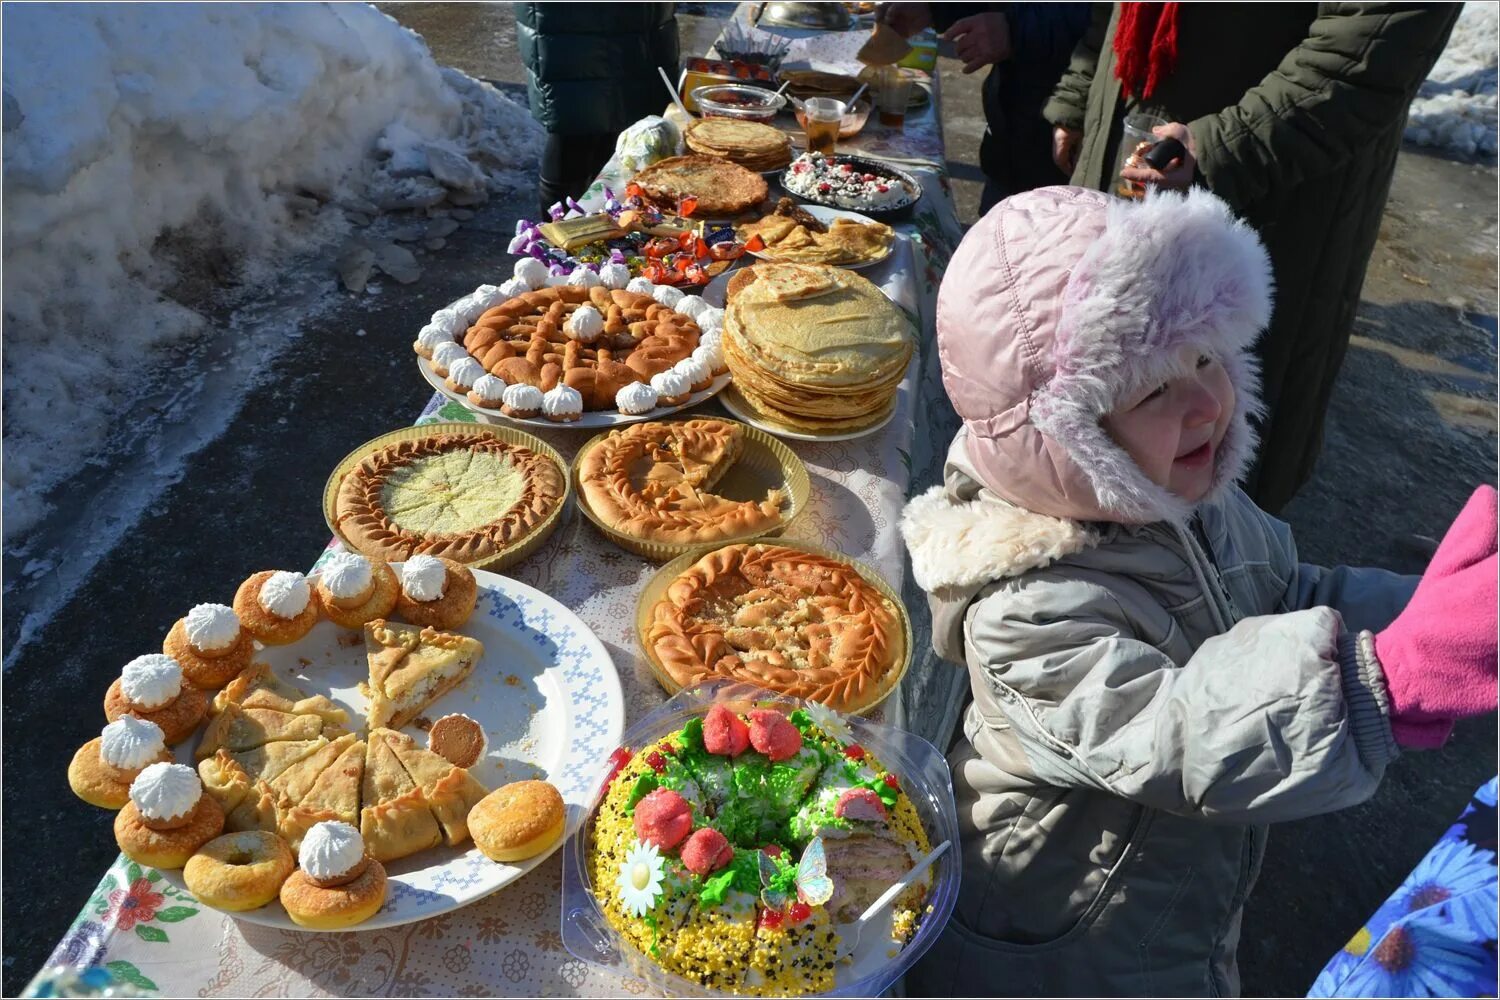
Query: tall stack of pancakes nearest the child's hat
[815, 349]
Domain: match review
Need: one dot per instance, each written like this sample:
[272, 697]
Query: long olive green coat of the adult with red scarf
[1297, 112]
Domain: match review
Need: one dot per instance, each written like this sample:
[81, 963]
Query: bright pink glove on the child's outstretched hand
[1439, 654]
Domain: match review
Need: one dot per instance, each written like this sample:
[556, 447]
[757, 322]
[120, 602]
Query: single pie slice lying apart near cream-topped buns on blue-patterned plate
[412, 668]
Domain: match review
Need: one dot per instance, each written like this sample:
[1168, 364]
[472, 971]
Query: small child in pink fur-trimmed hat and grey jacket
[1156, 677]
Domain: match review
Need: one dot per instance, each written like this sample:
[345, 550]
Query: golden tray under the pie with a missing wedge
[764, 466]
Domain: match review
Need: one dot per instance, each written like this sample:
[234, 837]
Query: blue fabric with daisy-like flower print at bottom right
[1436, 935]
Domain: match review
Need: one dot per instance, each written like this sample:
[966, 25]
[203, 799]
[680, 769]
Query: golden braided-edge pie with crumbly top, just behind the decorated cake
[782, 618]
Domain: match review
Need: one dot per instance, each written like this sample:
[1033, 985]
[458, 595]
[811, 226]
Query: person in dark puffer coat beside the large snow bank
[592, 70]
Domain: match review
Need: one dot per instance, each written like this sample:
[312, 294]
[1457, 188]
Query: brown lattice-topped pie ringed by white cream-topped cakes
[532, 340]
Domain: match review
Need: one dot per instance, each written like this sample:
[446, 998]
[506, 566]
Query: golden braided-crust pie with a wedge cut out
[655, 482]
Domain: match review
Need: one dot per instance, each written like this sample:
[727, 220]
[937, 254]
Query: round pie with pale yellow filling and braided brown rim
[464, 497]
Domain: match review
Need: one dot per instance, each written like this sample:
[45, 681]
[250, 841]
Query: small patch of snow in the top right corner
[1456, 107]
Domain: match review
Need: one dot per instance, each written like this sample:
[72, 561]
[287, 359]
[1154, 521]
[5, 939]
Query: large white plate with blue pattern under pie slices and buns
[548, 698]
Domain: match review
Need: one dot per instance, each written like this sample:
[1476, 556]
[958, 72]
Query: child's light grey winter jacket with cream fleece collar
[1147, 699]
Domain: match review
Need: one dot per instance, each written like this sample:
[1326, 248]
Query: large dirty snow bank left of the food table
[160, 157]
